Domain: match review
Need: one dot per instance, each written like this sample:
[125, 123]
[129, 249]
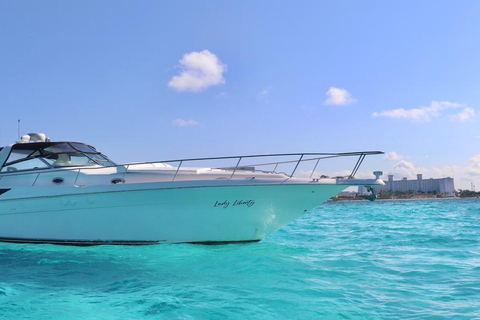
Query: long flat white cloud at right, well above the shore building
[422, 114]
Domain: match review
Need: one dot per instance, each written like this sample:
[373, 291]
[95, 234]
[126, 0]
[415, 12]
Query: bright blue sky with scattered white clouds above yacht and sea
[153, 80]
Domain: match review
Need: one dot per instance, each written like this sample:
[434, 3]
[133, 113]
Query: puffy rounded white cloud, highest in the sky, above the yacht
[200, 70]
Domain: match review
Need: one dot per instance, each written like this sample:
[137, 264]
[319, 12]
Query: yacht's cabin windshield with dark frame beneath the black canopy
[56, 155]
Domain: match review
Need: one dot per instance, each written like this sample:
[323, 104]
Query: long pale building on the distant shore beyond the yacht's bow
[439, 186]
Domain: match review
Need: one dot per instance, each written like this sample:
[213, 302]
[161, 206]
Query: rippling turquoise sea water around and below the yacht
[382, 260]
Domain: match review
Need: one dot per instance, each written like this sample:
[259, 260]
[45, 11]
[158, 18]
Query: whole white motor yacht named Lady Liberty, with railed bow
[69, 193]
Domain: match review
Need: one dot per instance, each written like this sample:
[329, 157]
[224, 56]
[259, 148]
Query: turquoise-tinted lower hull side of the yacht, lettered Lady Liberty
[203, 214]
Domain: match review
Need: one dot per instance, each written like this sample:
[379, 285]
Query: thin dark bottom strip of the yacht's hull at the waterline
[78, 243]
